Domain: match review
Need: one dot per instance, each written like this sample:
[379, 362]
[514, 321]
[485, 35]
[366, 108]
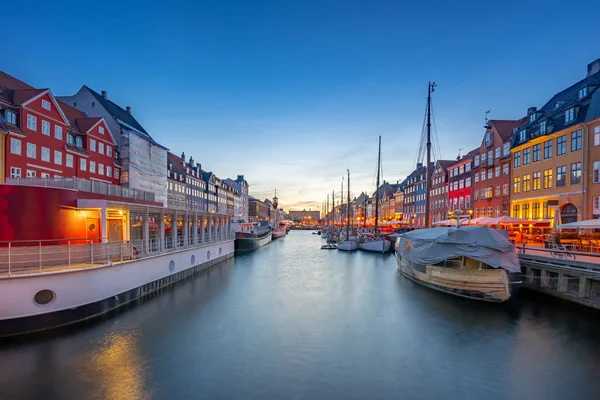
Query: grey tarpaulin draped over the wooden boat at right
[431, 246]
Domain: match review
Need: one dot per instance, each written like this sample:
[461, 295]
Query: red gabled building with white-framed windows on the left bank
[48, 139]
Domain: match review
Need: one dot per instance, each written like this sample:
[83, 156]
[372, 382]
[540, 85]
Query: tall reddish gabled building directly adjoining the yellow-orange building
[491, 170]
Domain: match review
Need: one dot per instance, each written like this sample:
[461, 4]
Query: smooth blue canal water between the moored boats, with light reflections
[291, 321]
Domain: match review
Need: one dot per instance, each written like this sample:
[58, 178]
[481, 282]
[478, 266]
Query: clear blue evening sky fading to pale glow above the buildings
[291, 93]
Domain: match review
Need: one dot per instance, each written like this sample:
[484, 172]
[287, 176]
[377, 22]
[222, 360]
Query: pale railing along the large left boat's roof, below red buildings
[84, 185]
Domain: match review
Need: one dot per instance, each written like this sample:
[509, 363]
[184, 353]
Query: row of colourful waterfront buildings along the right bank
[529, 168]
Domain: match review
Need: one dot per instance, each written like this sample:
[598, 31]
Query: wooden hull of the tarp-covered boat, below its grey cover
[491, 285]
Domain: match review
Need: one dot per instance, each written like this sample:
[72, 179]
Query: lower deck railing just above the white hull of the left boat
[47, 256]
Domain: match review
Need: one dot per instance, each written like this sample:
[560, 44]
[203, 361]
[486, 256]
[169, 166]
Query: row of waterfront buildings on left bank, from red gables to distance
[88, 136]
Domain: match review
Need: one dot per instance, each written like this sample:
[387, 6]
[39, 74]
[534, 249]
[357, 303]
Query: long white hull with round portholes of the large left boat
[85, 292]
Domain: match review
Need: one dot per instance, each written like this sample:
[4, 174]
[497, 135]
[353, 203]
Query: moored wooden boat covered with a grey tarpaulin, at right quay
[475, 262]
